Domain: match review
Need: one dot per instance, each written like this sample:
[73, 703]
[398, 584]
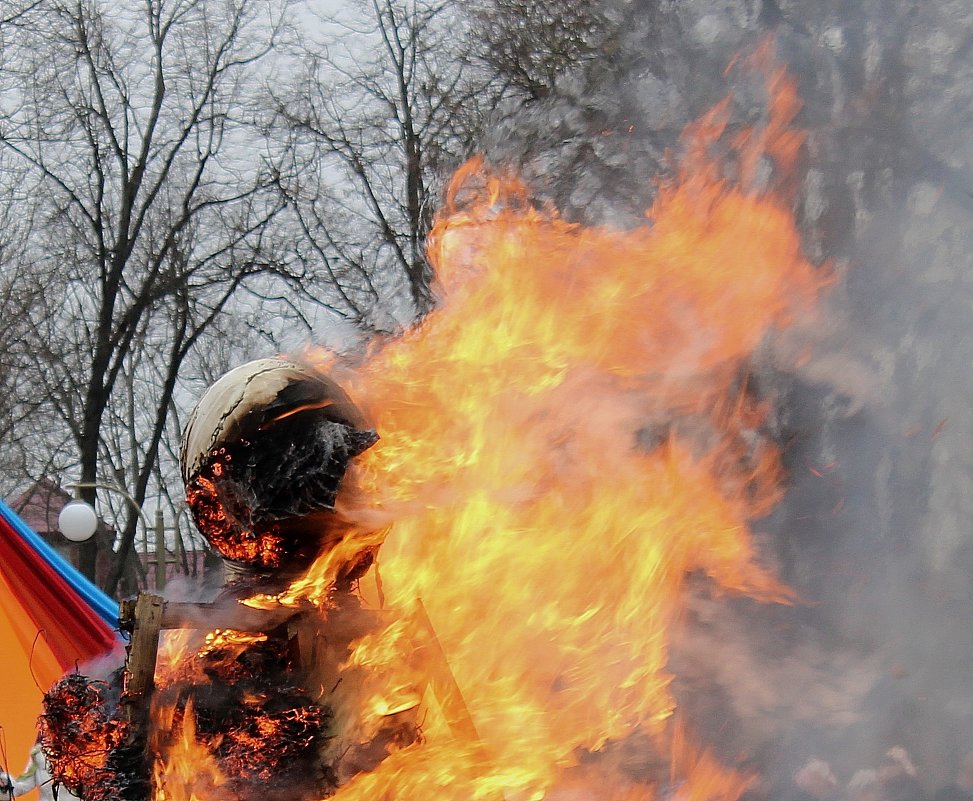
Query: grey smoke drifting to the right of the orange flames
[873, 532]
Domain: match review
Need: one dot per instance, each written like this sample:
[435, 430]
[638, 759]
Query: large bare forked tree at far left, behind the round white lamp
[150, 206]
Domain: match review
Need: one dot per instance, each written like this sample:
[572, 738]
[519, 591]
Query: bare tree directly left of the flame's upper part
[385, 102]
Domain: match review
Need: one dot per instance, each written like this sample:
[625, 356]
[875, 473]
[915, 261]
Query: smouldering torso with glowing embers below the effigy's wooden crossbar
[227, 719]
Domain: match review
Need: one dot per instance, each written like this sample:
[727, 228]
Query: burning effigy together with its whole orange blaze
[454, 568]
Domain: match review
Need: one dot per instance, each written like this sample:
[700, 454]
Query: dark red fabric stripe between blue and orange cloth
[72, 630]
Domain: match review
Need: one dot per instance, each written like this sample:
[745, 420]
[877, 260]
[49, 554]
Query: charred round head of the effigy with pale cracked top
[263, 458]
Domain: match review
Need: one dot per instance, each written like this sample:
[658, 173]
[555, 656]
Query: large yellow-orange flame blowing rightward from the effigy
[567, 437]
